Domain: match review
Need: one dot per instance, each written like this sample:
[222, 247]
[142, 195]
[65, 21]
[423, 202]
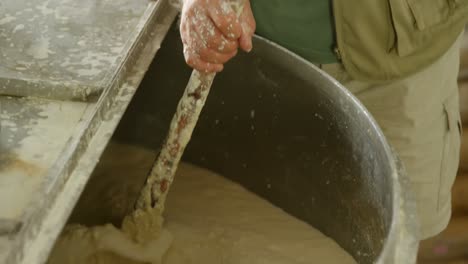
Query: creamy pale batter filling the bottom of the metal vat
[208, 220]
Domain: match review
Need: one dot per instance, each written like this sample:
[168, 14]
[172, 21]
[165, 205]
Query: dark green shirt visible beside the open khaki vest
[302, 26]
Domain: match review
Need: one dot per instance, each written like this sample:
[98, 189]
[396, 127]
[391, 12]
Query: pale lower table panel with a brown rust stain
[33, 134]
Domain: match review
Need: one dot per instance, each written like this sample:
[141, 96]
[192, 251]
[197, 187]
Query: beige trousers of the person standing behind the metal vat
[420, 118]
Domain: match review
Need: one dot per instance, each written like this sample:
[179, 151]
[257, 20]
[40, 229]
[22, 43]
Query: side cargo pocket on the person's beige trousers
[451, 152]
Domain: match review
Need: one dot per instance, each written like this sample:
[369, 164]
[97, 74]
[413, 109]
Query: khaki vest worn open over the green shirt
[382, 40]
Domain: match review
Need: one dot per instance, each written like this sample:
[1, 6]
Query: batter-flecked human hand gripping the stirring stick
[211, 32]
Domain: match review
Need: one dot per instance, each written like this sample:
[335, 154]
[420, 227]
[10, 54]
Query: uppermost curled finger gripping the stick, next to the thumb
[225, 20]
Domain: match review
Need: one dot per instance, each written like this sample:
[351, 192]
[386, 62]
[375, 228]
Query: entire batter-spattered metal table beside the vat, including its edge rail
[68, 70]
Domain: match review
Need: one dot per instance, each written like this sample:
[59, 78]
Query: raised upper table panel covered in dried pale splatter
[63, 48]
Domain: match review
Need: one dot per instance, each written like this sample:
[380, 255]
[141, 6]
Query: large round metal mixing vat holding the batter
[285, 130]
